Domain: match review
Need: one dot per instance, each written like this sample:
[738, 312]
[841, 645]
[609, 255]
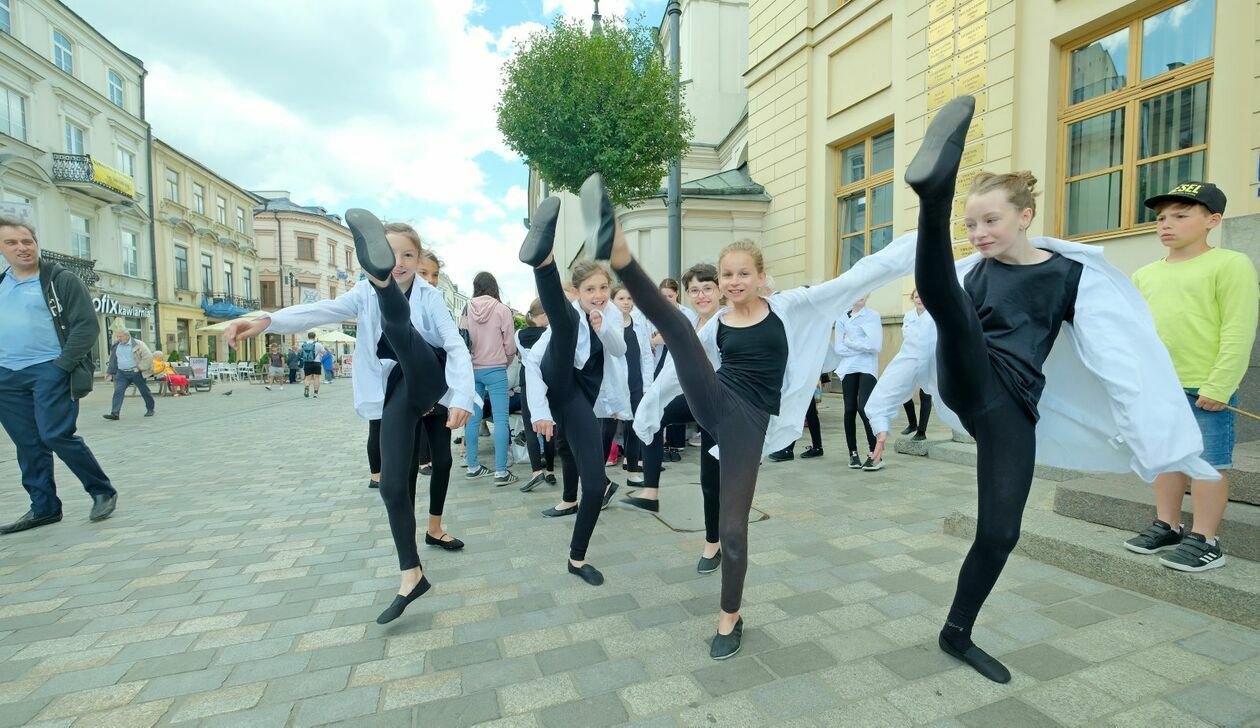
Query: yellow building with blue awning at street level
[207, 260]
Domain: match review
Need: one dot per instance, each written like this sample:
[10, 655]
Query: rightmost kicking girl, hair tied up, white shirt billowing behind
[1111, 401]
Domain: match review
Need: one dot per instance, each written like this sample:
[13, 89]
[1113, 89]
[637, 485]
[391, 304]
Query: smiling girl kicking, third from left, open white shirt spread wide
[736, 373]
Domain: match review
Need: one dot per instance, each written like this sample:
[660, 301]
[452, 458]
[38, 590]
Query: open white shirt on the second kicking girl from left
[614, 397]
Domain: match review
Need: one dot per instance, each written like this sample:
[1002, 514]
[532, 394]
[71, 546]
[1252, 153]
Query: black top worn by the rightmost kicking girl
[1021, 312]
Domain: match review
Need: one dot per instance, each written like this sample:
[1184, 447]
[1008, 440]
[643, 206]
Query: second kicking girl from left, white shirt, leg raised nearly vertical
[566, 371]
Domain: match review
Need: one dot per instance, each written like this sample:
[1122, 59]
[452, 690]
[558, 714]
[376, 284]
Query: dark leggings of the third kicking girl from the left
[739, 428]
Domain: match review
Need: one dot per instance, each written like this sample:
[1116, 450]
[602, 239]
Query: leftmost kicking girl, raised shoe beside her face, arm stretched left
[398, 378]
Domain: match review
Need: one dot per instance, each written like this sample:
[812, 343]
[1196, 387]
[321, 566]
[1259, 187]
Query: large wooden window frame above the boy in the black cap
[1130, 100]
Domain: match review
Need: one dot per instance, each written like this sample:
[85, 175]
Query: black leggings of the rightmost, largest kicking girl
[1005, 433]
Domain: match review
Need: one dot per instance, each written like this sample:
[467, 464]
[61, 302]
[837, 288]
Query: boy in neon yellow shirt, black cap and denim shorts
[1205, 303]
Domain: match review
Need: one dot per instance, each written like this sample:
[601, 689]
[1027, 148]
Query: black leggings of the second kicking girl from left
[571, 407]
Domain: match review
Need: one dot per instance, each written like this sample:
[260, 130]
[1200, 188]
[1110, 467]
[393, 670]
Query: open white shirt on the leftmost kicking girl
[429, 316]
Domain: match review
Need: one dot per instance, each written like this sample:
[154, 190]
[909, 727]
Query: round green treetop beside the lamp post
[575, 104]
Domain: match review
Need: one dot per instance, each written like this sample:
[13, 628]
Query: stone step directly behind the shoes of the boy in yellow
[1130, 504]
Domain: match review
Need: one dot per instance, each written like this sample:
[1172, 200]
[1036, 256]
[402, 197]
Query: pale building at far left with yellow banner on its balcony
[75, 157]
